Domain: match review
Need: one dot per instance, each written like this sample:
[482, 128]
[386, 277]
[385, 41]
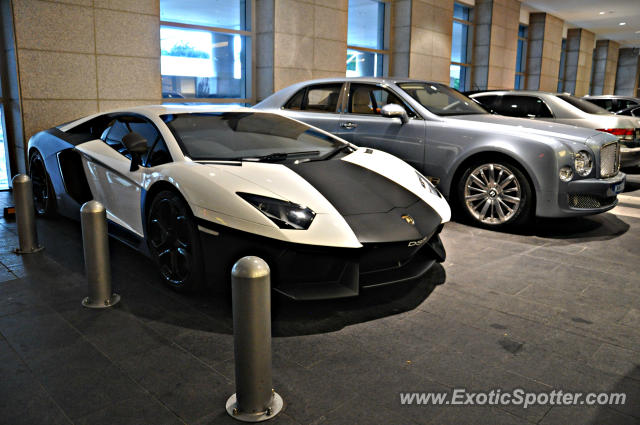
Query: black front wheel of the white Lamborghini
[174, 242]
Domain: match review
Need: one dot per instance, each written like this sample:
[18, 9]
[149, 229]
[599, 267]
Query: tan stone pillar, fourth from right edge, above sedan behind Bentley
[544, 51]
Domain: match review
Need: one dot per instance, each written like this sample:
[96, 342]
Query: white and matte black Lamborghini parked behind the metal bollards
[196, 188]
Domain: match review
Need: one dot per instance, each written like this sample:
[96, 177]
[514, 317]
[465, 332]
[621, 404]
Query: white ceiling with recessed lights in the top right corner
[586, 14]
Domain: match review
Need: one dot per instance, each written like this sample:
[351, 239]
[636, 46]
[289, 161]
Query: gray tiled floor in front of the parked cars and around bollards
[555, 308]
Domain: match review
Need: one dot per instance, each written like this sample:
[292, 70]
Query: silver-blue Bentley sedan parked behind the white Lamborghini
[496, 170]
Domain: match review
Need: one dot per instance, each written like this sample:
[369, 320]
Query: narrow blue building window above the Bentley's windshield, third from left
[460, 69]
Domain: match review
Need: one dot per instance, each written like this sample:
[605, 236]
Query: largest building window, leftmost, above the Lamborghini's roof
[206, 50]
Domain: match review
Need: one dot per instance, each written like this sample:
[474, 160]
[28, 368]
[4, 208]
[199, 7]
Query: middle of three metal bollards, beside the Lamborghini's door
[95, 242]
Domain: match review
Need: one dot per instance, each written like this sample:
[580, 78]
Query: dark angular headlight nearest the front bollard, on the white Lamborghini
[286, 215]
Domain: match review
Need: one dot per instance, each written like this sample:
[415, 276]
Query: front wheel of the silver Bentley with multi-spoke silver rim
[495, 208]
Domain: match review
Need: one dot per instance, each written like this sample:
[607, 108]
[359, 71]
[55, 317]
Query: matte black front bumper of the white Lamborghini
[305, 272]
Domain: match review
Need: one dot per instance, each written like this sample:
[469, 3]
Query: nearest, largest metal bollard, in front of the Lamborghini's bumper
[254, 400]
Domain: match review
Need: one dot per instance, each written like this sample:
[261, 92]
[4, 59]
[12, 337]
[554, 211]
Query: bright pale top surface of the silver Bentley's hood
[523, 126]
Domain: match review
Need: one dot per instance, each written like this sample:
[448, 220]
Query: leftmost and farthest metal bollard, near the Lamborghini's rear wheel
[25, 215]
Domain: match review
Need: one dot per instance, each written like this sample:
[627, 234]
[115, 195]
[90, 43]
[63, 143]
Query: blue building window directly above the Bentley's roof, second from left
[367, 53]
